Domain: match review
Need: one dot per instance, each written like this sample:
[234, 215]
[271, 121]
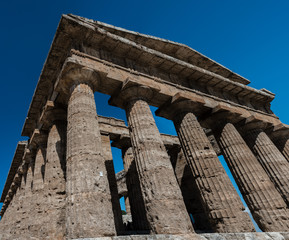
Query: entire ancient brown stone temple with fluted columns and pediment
[62, 183]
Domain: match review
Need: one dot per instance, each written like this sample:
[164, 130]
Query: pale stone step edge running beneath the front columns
[207, 236]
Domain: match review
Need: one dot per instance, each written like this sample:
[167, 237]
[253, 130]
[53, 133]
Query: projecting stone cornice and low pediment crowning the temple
[71, 27]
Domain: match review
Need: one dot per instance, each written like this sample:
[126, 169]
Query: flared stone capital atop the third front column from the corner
[182, 102]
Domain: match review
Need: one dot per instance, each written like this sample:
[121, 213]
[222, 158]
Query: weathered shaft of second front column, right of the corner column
[165, 208]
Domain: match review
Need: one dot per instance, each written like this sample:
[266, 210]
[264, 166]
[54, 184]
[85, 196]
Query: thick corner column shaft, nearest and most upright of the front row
[87, 187]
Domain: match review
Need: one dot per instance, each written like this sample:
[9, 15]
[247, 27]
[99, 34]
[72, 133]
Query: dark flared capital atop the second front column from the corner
[132, 90]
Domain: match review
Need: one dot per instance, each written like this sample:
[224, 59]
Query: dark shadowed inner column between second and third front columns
[189, 190]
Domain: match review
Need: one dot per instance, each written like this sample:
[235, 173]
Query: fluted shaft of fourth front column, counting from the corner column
[265, 203]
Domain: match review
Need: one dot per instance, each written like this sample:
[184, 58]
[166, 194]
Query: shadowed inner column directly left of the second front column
[136, 202]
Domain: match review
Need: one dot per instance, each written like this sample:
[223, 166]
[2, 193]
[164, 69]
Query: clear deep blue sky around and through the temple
[249, 37]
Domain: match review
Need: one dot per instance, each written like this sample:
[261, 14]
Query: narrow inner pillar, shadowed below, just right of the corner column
[106, 147]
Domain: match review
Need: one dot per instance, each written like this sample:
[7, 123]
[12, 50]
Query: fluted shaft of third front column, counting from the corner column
[219, 198]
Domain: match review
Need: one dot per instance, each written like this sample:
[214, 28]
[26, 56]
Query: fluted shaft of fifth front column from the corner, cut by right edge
[271, 159]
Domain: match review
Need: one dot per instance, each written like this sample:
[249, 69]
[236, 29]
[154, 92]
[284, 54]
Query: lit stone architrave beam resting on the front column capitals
[113, 76]
